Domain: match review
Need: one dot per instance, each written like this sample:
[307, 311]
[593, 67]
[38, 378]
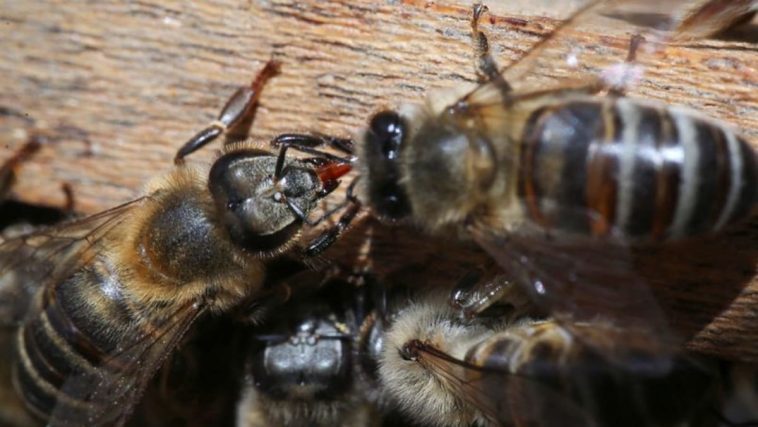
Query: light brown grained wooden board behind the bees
[116, 87]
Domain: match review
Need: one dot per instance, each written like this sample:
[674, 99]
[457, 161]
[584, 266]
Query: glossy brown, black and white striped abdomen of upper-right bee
[633, 171]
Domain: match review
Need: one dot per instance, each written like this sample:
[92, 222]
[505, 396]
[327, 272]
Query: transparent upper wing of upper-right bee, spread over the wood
[605, 44]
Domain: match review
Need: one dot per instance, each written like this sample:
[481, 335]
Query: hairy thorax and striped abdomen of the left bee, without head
[149, 270]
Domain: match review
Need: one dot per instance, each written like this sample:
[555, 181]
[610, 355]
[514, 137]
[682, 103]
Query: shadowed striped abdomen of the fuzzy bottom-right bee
[538, 374]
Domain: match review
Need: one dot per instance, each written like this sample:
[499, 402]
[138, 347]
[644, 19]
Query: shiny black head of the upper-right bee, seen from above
[383, 143]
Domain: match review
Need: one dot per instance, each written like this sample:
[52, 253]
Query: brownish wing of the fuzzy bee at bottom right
[504, 397]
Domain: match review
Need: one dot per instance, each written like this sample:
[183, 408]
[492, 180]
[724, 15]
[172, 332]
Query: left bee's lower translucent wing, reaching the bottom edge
[107, 394]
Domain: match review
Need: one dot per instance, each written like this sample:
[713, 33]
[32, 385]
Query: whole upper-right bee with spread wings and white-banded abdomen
[560, 184]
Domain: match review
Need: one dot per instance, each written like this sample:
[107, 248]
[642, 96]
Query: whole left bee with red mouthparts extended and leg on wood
[102, 301]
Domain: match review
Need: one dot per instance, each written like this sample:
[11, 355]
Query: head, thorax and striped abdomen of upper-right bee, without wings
[607, 167]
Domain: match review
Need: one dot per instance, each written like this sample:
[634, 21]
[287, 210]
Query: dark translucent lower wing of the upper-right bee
[582, 281]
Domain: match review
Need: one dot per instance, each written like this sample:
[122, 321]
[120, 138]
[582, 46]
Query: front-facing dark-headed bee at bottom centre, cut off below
[314, 361]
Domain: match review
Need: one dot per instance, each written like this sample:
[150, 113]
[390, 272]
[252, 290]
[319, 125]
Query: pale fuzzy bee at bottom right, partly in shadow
[442, 370]
